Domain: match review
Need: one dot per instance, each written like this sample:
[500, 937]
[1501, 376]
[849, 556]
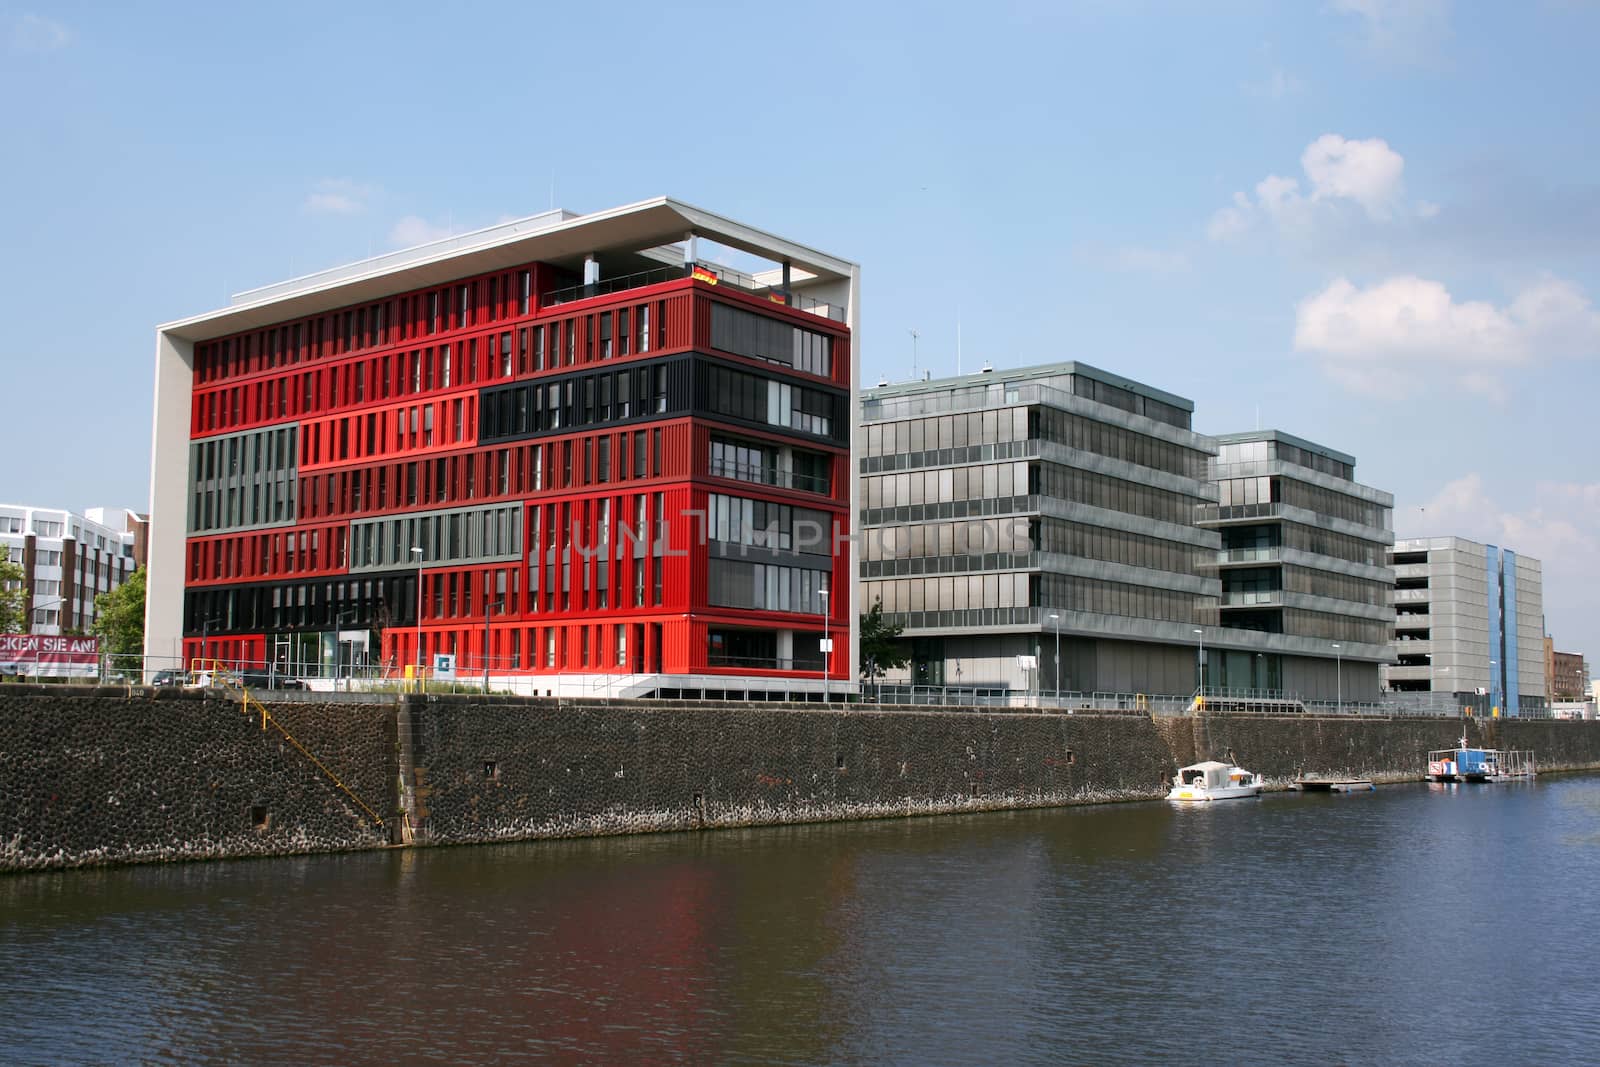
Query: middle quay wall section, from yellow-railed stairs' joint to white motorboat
[530, 770]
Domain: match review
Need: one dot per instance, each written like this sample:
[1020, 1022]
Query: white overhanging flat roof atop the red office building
[550, 238]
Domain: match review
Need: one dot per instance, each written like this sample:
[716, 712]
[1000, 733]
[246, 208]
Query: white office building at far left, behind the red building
[68, 561]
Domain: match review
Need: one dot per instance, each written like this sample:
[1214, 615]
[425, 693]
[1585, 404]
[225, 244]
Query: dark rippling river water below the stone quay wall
[1420, 924]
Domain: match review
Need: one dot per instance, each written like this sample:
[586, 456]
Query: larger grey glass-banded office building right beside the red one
[1009, 516]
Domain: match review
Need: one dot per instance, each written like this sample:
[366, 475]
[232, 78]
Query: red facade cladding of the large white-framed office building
[386, 406]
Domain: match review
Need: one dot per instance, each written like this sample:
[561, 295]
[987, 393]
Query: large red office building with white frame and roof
[564, 452]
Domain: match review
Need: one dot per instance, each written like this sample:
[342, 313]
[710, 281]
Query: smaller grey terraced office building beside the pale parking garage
[1303, 567]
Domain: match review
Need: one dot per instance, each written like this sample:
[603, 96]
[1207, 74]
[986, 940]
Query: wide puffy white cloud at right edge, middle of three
[1388, 335]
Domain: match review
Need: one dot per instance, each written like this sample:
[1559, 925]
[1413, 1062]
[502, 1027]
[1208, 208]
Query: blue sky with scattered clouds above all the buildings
[1375, 223]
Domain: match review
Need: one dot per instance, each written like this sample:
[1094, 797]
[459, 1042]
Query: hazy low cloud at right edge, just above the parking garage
[1561, 529]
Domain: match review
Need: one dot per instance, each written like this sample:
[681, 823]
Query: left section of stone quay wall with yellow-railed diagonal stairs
[105, 777]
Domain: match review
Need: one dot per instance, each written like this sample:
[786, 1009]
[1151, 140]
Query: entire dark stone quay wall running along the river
[105, 777]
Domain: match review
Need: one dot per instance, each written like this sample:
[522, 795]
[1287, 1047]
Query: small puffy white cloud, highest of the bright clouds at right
[1340, 175]
